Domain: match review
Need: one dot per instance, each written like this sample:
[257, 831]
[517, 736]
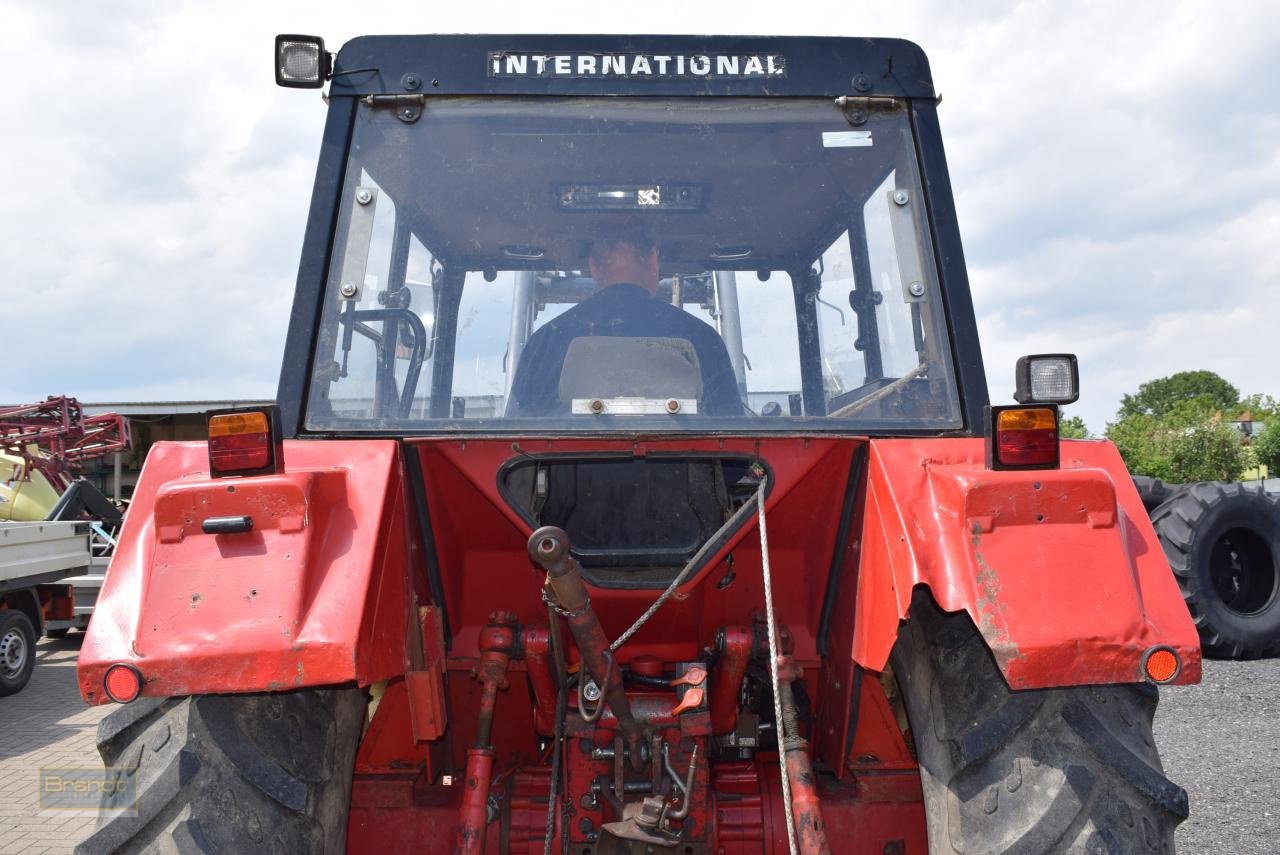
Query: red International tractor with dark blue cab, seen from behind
[633, 487]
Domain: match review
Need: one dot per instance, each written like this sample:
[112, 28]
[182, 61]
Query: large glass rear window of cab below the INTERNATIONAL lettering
[633, 264]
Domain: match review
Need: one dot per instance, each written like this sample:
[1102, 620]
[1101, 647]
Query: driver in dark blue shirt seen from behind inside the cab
[625, 267]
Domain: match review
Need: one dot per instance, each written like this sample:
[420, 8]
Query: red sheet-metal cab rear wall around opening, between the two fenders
[482, 541]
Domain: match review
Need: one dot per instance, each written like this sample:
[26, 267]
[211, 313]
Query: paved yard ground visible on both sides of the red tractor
[1219, 740]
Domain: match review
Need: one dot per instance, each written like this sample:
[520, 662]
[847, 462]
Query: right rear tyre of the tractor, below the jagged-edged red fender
[1040, 771]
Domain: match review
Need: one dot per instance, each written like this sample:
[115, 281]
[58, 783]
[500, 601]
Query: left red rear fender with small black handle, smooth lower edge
[316, 595]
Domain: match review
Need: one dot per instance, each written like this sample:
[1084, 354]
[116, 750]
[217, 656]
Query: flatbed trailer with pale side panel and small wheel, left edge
[38, 563]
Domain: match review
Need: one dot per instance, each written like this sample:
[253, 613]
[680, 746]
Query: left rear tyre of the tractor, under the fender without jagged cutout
[230, 774]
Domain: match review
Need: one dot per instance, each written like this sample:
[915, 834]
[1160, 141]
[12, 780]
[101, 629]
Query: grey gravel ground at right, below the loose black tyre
[1220, 740]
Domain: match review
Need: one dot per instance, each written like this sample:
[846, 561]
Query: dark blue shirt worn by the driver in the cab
[620, 310]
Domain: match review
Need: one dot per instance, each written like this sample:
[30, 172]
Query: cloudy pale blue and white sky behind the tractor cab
[1117, 171]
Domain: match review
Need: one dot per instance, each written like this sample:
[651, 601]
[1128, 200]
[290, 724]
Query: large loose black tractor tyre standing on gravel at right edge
[1223, 543]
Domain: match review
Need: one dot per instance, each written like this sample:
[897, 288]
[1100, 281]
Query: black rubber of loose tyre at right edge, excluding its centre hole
[1181, 523]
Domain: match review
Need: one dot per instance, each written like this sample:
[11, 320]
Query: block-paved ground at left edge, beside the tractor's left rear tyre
[45, 725]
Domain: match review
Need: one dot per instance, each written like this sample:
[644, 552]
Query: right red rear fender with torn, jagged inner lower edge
[1059, 569]
